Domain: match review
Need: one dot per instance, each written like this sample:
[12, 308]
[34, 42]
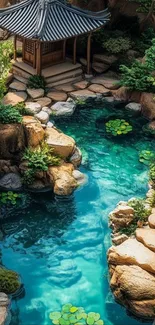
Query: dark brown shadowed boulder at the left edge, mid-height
[12, 141]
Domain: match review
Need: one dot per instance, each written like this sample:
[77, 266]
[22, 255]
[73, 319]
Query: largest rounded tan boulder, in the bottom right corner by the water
[134, 288]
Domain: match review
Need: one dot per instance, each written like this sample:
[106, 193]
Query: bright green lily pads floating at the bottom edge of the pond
[75, 315]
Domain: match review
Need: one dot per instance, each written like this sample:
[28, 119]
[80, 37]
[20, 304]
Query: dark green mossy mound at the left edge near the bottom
[9, 281]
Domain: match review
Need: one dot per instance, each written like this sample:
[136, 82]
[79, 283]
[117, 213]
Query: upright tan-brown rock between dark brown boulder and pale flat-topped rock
[33, 130]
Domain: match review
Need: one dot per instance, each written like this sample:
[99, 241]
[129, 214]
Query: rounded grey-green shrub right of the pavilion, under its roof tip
[118, 45]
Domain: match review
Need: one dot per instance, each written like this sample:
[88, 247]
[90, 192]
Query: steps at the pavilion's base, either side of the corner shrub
[55, 75]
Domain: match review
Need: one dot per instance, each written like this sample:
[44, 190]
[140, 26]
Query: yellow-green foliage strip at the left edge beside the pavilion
[6, 48]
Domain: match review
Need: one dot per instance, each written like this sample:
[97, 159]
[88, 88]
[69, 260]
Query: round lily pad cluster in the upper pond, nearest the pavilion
[118, 127]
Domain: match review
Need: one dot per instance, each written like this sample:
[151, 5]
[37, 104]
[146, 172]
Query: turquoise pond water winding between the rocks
[59, 245]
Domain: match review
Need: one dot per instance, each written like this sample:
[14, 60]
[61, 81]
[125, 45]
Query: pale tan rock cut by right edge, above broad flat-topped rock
[147, 237]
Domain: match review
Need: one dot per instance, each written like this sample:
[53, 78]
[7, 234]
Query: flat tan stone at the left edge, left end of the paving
[14, 98]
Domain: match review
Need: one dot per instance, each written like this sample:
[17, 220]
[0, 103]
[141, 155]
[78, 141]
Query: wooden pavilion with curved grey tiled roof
[43, 26]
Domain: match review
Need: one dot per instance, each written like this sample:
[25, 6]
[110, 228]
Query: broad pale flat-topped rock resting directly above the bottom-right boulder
[132, 252]
